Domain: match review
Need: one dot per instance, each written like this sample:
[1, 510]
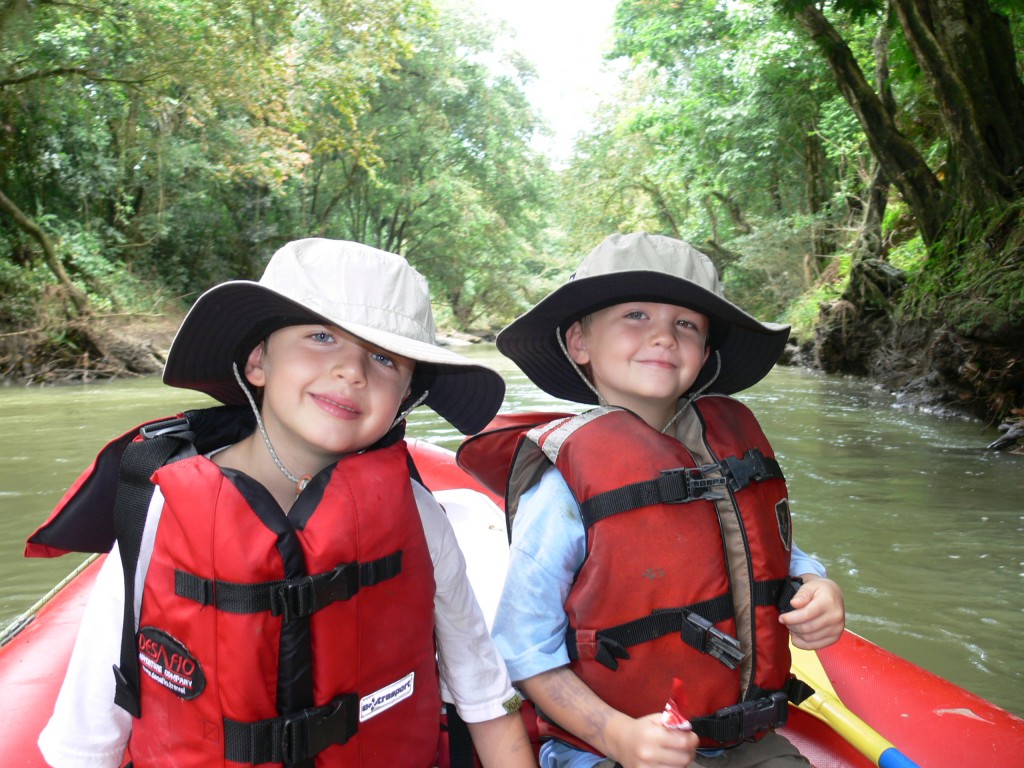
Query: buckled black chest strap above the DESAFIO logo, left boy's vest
[291, 599]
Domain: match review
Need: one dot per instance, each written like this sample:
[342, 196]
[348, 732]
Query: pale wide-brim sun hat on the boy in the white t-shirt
[370, 293]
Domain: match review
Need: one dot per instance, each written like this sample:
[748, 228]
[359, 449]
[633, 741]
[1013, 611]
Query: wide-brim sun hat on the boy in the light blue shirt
[643, 268]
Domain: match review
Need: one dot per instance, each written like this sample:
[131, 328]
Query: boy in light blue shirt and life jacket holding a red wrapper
[652, 536]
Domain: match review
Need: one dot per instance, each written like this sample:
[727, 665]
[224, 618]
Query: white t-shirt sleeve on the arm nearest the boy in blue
[474, 675]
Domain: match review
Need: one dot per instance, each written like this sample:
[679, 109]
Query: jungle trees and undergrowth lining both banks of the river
[855, 167]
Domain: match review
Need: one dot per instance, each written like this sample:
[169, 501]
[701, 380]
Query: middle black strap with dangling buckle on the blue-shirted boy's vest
[694, 623]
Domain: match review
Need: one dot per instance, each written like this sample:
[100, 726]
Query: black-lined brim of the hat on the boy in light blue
[748, 353]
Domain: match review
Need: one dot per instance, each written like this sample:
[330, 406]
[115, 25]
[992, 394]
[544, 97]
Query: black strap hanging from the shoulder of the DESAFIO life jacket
[141, 460]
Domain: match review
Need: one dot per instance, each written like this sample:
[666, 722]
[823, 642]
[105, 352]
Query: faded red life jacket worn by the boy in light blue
[688, 562]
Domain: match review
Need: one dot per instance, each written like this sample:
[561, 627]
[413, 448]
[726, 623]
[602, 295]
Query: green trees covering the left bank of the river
[164, 146]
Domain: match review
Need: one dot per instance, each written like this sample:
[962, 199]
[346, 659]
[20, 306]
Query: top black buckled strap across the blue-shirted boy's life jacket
[684, 485]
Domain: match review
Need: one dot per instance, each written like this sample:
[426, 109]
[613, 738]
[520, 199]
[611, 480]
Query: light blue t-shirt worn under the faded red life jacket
[548, 548]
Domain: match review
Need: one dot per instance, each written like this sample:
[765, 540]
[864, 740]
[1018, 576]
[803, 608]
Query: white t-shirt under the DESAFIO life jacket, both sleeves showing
[89, 731]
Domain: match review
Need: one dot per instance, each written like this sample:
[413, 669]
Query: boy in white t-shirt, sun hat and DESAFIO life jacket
[296, 591]
